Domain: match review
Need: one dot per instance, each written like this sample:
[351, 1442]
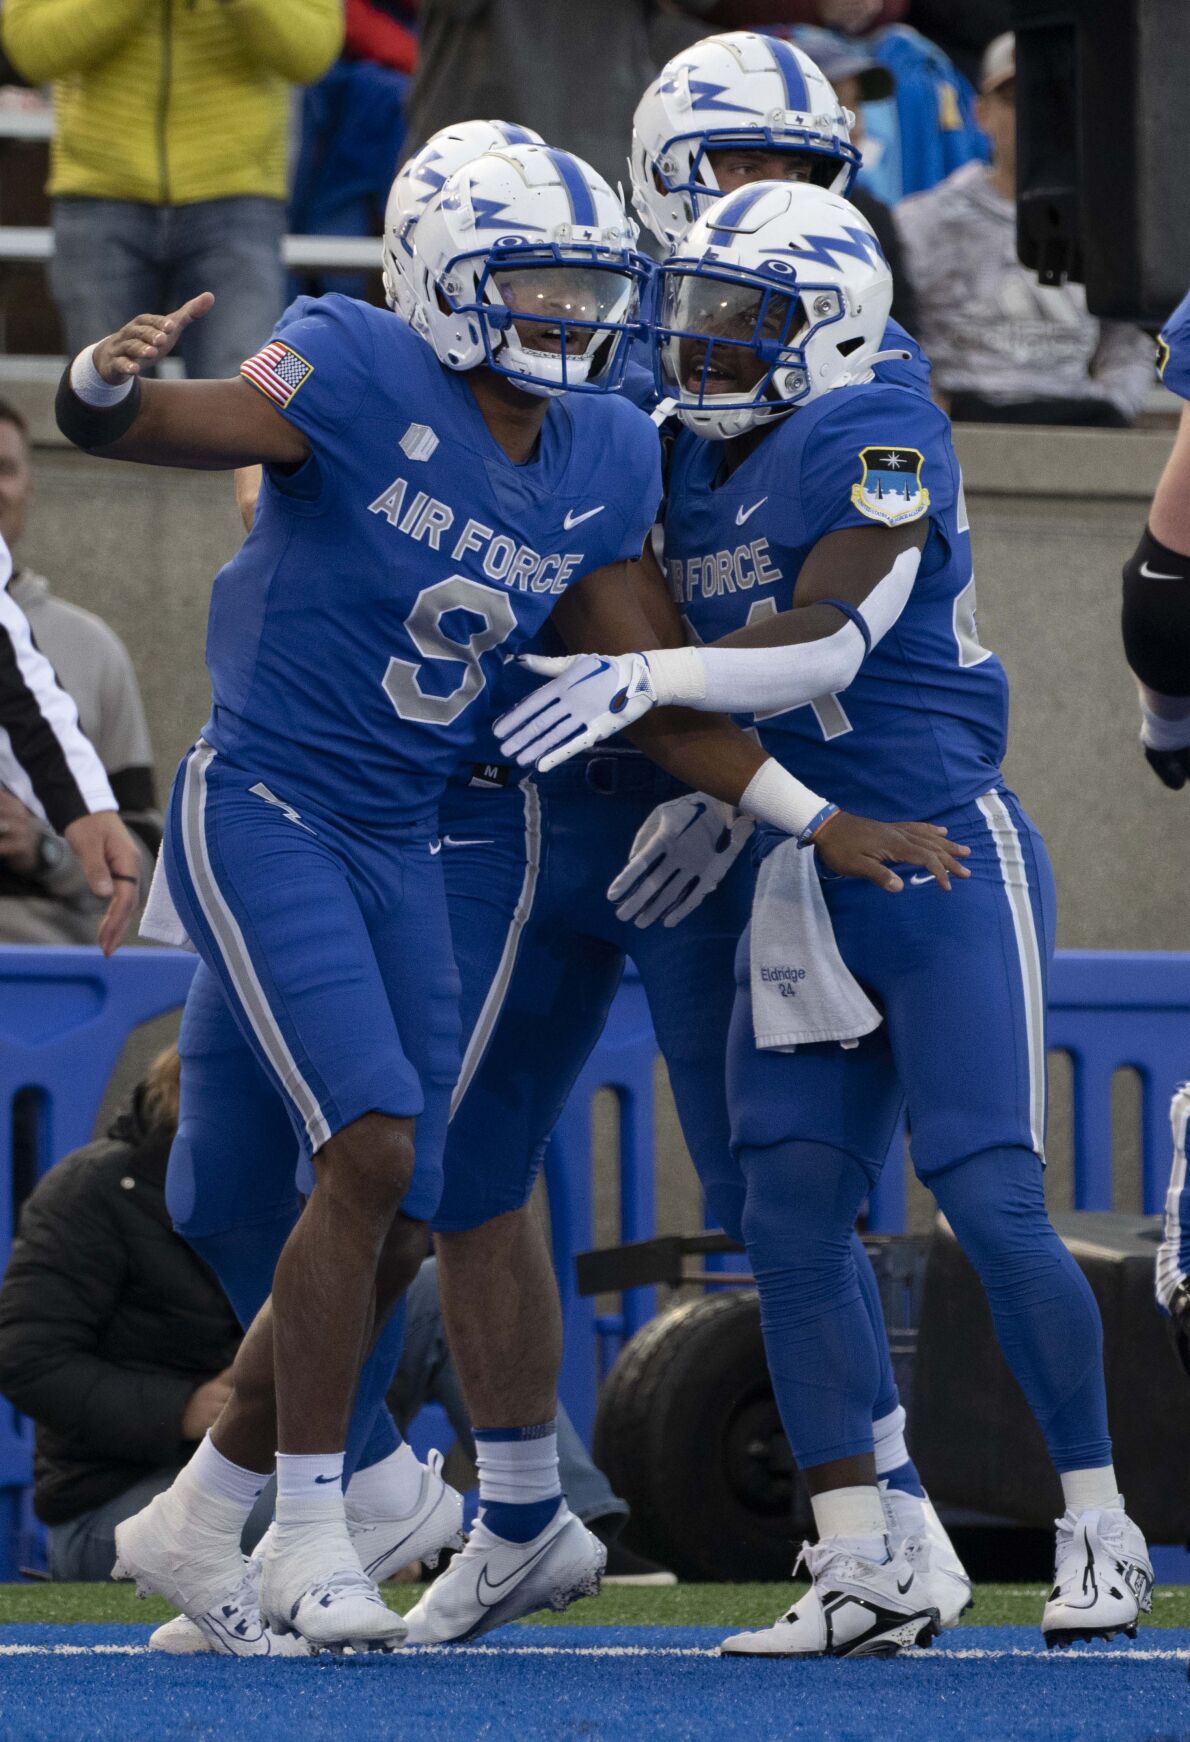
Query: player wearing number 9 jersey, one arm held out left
[302, 849]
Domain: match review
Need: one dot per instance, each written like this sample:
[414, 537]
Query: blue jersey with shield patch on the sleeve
[923, 729]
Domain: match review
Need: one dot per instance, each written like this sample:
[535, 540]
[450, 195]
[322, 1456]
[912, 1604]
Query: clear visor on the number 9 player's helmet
[565, 311]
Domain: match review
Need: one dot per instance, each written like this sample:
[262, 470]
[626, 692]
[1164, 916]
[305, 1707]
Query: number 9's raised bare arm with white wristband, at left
[107, 410]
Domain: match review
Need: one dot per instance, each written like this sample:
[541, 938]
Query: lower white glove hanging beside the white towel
[682, 853]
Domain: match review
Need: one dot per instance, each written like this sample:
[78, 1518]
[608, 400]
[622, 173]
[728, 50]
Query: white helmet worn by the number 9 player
[525, 262]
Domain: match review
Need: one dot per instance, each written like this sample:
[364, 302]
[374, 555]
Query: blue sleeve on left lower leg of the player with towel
[823, 1351]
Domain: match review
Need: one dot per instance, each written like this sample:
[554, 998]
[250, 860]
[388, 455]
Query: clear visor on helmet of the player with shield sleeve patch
[722, 337]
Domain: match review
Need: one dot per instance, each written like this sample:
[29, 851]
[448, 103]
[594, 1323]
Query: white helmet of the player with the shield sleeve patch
[778, 295]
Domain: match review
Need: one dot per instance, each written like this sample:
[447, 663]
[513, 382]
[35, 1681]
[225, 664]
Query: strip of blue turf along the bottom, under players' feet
[597, 1684]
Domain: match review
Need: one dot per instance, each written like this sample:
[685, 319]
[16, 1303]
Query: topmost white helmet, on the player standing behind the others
[734, 90]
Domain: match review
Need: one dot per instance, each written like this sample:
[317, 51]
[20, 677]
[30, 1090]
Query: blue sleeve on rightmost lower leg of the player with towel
[1045, 1313]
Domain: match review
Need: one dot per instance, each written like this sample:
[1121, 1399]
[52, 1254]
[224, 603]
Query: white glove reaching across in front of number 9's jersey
[588, 699]
